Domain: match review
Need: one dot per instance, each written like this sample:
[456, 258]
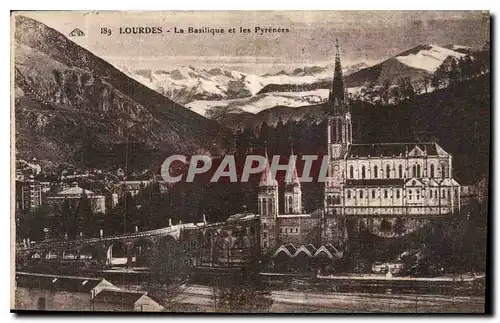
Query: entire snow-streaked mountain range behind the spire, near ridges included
[221, 93]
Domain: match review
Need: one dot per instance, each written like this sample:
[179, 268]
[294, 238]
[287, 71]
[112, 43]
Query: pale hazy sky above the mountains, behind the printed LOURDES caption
[364, 36]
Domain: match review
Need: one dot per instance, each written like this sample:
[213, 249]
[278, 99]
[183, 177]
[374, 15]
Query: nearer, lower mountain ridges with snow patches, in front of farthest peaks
[416, 64]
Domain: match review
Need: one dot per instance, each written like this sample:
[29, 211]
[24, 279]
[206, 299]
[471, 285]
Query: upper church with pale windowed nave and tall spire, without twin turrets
[384, 181]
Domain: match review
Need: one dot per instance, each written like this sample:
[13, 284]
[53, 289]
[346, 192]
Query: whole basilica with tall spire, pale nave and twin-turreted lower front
[391, 188]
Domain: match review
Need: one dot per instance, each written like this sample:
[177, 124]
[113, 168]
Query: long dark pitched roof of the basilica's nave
[394, 149]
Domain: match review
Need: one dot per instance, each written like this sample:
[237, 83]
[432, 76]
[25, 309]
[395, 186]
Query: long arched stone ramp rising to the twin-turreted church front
[227, 244]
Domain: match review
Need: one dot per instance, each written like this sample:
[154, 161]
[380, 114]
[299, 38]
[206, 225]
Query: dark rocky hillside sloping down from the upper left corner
[73, 107]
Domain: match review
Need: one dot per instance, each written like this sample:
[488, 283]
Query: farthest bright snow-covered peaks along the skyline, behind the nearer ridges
[188, 84]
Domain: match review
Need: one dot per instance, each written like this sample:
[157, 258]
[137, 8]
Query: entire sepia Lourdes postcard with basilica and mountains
[251, 161]
